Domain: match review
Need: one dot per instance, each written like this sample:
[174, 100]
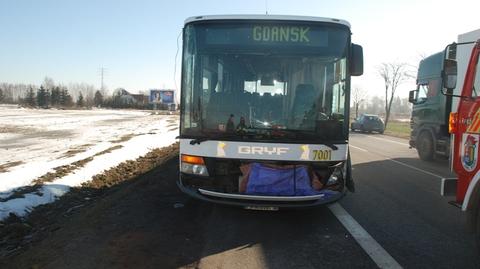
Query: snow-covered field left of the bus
[95, 130]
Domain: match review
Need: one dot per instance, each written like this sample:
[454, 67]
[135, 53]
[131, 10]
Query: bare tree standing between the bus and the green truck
[393, 74]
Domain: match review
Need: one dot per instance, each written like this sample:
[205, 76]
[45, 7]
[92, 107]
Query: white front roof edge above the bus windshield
[266, 17]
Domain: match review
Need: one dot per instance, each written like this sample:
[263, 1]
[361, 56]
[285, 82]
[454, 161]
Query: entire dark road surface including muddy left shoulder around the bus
[396, 213]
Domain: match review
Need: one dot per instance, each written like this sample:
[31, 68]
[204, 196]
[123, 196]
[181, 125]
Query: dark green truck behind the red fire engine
[430, 108]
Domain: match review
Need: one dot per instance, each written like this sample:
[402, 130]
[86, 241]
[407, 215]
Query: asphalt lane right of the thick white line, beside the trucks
[398, 202]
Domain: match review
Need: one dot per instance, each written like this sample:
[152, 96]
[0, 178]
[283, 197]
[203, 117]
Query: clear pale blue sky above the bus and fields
[136, 41]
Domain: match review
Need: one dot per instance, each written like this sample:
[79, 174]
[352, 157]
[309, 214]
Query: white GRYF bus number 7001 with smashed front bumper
[264, 110]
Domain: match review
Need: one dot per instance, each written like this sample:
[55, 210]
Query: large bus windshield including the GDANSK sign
[260, 78]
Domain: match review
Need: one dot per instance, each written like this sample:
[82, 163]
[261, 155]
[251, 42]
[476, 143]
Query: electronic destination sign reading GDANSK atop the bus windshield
[277, 35]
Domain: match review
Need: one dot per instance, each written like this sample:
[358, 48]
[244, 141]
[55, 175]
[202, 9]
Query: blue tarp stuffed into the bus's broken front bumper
[264, 180]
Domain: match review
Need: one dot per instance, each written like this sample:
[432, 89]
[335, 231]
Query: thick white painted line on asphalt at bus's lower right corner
[379, 255]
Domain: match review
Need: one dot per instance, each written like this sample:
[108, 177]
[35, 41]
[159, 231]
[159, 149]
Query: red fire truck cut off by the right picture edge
[464, 126]
